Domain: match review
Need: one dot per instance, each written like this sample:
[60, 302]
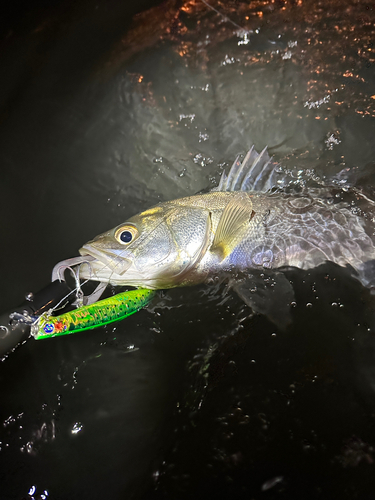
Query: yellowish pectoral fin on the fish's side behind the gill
[237, 213]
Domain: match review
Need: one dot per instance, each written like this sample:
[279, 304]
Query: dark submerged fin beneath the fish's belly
[268, 294]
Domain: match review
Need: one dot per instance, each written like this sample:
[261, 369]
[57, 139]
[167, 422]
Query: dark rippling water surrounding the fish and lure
[102, 116]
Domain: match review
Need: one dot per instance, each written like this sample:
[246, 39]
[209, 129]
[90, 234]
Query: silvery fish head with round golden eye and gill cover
[154, 249]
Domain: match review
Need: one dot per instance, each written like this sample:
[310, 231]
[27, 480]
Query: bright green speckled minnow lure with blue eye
[87, 317]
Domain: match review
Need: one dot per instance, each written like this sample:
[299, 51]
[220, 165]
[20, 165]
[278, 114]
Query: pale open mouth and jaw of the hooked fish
[105, 264]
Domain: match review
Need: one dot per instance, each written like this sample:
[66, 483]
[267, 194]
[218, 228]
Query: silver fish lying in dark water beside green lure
[249, 229]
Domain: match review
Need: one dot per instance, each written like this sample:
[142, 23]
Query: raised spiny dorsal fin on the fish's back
[256, 173]
